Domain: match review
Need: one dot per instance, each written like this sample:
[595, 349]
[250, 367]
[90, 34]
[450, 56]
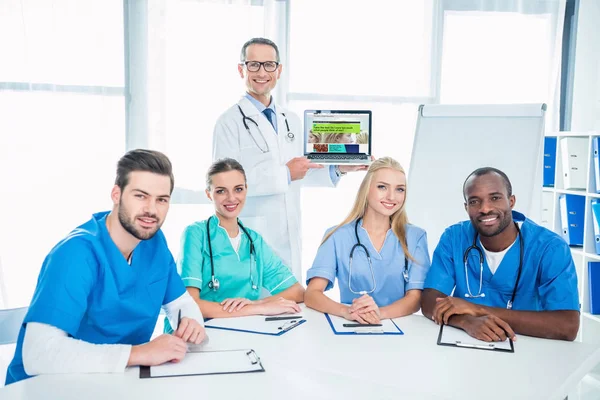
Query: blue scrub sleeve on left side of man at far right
[441, 275]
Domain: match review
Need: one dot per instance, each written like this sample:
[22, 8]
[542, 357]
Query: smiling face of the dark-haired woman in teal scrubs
[228, 193]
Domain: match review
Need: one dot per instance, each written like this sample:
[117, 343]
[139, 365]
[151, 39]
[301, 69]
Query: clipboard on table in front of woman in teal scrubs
[254, 324]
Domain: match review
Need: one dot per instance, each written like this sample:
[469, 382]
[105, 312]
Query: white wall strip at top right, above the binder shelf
[586, 85]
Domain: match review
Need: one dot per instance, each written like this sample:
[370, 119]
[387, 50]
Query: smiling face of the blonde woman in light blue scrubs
[387, 191]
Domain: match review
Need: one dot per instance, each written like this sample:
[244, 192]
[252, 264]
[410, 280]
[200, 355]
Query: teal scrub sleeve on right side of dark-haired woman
[277, 277]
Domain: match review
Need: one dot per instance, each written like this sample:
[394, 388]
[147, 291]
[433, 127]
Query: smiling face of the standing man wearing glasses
[260, 83]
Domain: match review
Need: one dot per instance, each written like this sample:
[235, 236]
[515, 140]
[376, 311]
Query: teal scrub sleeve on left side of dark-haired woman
[191, 257]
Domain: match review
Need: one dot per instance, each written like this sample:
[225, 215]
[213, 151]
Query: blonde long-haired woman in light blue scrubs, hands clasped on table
[378, 258]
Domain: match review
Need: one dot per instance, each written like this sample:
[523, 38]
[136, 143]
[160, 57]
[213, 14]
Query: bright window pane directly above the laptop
[371, 48]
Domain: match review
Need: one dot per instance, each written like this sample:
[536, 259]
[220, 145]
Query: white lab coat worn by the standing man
[272, 206]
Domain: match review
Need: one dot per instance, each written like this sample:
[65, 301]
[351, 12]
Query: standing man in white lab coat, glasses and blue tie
[268, 140]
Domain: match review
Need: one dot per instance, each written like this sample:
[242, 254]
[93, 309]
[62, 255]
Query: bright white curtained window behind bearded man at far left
[62, 127]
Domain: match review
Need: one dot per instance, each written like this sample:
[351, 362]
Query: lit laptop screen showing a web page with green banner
[337, 131]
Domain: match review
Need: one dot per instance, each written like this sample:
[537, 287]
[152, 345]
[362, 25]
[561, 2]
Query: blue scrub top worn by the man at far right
[548, 279]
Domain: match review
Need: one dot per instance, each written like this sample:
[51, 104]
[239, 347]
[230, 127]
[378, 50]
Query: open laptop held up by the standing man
[337, 137]
